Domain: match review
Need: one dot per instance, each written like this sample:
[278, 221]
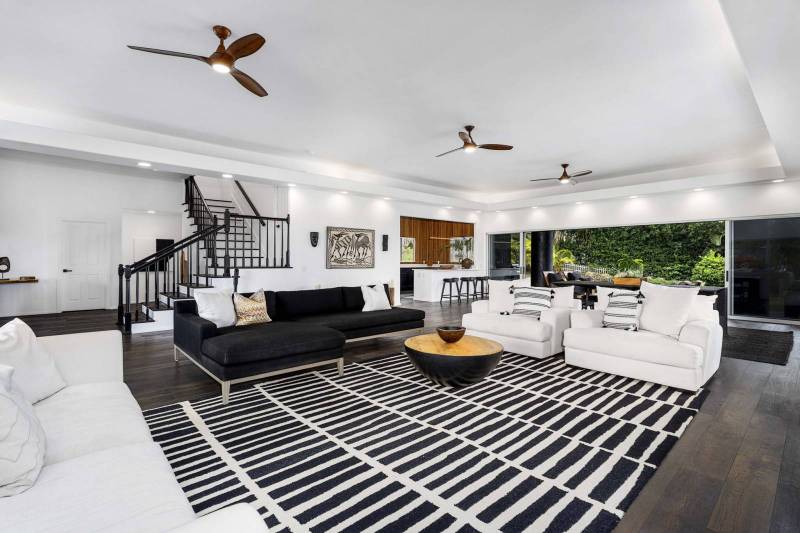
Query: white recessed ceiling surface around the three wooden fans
[626, 88]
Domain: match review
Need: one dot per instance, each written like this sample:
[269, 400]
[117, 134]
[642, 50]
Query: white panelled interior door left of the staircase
[84, 266]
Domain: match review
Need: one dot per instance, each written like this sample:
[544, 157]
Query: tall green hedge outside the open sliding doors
[670, 251]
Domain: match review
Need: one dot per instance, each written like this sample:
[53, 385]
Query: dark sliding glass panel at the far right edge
[765, 263]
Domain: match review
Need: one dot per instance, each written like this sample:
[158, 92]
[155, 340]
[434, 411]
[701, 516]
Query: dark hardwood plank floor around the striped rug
[737, 467]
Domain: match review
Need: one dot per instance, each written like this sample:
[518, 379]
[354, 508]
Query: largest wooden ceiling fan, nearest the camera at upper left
[223, 59]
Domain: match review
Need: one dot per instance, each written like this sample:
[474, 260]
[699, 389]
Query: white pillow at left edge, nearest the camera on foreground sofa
[22, 439]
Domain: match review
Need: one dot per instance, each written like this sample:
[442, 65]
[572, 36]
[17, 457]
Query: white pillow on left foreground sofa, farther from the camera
[35, 371]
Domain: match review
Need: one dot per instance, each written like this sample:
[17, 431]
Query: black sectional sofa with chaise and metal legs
[309, 328]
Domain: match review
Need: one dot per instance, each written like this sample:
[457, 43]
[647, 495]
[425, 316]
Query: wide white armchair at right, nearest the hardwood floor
[686, 362]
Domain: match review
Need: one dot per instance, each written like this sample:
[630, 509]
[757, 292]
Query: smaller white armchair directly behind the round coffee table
[518, 333]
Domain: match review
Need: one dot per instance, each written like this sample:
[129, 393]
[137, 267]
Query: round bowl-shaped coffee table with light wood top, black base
[453, 364]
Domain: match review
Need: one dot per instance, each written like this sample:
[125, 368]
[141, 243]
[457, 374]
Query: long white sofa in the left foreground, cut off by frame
[102, 469]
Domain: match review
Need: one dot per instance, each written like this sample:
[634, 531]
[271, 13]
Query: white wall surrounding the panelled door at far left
[38, 192]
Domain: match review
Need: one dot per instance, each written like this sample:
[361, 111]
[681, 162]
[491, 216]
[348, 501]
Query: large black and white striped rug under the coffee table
[537, 446]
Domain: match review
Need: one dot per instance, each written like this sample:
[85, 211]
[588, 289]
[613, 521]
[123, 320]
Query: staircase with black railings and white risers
[224, 241]
